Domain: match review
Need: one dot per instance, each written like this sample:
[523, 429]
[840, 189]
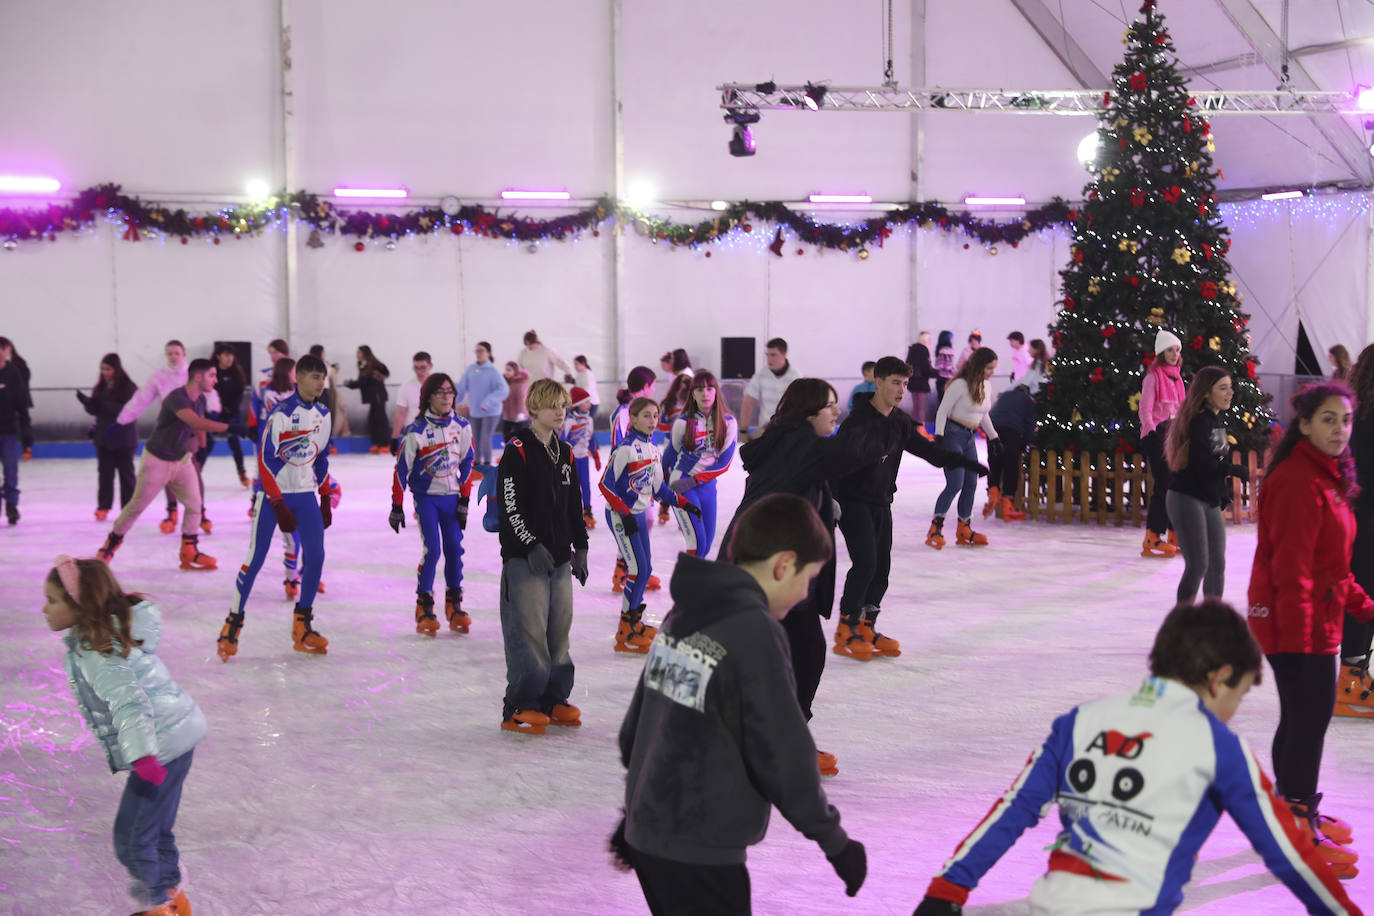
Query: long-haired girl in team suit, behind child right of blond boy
[700, 450]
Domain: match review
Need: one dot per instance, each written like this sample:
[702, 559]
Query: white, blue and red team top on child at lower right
[1141, 781]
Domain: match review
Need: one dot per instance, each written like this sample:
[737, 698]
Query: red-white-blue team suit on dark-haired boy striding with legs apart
[293, 466]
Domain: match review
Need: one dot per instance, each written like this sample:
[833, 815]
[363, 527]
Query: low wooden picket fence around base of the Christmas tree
[1114, 488]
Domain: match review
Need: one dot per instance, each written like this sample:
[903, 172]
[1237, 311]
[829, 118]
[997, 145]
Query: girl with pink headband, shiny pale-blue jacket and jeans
[145, 723]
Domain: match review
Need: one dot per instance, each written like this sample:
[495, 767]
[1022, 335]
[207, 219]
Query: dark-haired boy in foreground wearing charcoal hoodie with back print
[714, 737]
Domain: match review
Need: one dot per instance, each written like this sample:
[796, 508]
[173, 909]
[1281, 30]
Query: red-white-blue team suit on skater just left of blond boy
[435, 461]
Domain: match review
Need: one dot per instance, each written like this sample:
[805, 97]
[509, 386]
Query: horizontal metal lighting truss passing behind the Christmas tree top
[747, 97]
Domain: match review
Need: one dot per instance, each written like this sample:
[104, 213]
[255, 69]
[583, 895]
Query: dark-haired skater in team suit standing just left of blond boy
[435, 461]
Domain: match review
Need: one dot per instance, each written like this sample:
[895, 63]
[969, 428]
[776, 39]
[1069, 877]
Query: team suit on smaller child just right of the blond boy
[633, 480]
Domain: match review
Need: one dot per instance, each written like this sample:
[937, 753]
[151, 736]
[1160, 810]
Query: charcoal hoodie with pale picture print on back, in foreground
[715, 738]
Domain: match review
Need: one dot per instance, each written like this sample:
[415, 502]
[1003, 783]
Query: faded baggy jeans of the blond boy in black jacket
[537, 617]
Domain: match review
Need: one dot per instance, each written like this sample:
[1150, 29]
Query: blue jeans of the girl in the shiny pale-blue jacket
[144, 840]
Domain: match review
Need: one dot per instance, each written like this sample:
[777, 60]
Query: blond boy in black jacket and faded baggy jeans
[543, 547]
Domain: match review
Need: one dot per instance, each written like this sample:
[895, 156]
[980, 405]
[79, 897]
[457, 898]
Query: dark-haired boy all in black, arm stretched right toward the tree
[866, 513]
